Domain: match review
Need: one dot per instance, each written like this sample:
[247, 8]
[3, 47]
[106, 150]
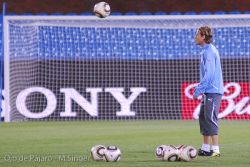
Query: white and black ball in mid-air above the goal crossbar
[102, 9]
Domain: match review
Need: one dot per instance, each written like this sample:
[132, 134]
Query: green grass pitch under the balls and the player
[68, 143]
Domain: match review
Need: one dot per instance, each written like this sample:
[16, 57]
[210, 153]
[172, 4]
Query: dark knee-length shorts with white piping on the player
[209, 111]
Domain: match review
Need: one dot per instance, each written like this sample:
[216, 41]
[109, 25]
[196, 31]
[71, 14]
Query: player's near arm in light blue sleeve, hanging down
[209, 68]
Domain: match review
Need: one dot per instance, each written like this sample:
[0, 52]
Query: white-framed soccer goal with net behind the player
[119, 68]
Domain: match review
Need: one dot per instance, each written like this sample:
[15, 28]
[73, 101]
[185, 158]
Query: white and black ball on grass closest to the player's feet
[188, 153]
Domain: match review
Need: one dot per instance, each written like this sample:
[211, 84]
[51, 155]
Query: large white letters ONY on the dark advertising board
[70, 94]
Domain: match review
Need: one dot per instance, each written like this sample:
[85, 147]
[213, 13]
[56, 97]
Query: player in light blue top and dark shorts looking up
[211, 89]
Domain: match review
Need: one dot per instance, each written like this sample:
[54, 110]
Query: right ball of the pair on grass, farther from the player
[112, 154]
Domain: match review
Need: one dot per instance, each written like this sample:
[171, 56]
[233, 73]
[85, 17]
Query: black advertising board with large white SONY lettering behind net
[107, 90]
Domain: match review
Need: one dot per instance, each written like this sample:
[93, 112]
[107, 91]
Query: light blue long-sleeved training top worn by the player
[211, 80]
